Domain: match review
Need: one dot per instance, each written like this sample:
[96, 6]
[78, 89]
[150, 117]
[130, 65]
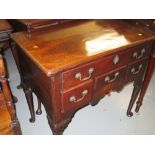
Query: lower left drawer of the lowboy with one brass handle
[77, 97]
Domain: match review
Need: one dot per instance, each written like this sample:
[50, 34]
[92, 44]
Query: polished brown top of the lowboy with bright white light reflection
[73, 43]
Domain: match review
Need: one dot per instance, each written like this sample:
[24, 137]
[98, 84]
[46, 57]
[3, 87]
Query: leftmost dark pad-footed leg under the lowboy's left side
[29, 98]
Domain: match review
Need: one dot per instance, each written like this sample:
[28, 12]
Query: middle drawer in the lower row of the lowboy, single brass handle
[110, 81]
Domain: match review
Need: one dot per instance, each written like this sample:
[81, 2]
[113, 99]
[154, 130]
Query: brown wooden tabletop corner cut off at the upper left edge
[5, 26]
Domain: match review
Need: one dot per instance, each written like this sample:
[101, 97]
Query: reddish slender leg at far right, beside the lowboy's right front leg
[146, 81]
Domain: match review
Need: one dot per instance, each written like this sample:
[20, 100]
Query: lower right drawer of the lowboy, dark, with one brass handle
[136, 70]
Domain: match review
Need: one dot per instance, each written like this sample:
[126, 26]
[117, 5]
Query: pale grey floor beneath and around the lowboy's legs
[107, 117]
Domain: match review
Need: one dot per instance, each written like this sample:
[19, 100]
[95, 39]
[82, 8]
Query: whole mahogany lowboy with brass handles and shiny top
[74, 66]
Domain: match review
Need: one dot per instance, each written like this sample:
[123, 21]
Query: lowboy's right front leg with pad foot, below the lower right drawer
[133, 98]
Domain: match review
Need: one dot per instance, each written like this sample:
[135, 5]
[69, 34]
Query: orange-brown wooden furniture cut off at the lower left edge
[9, 124]
